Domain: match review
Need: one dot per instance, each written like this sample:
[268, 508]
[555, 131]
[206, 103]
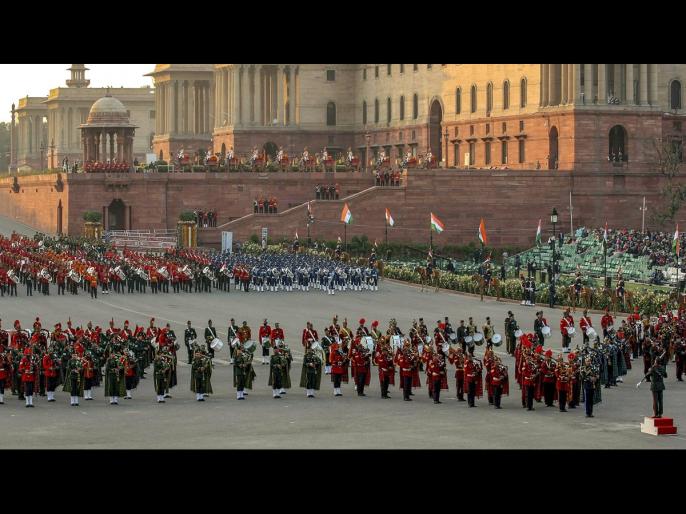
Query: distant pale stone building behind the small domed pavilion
[48, 127]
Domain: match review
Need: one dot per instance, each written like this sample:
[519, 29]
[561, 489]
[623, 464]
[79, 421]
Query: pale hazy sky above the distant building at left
[19, 80]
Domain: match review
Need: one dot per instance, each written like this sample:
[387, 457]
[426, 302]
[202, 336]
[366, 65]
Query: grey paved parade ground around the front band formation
[323, 422]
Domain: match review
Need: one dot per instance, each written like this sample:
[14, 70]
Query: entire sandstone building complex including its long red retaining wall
[513, 140]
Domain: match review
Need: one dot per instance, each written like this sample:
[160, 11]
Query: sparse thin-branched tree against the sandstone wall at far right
[668, 157]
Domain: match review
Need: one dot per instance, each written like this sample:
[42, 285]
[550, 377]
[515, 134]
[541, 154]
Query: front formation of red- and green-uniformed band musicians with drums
[80, 359]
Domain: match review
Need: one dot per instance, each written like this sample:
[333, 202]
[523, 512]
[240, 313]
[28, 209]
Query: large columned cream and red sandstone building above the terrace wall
[523, 116]
